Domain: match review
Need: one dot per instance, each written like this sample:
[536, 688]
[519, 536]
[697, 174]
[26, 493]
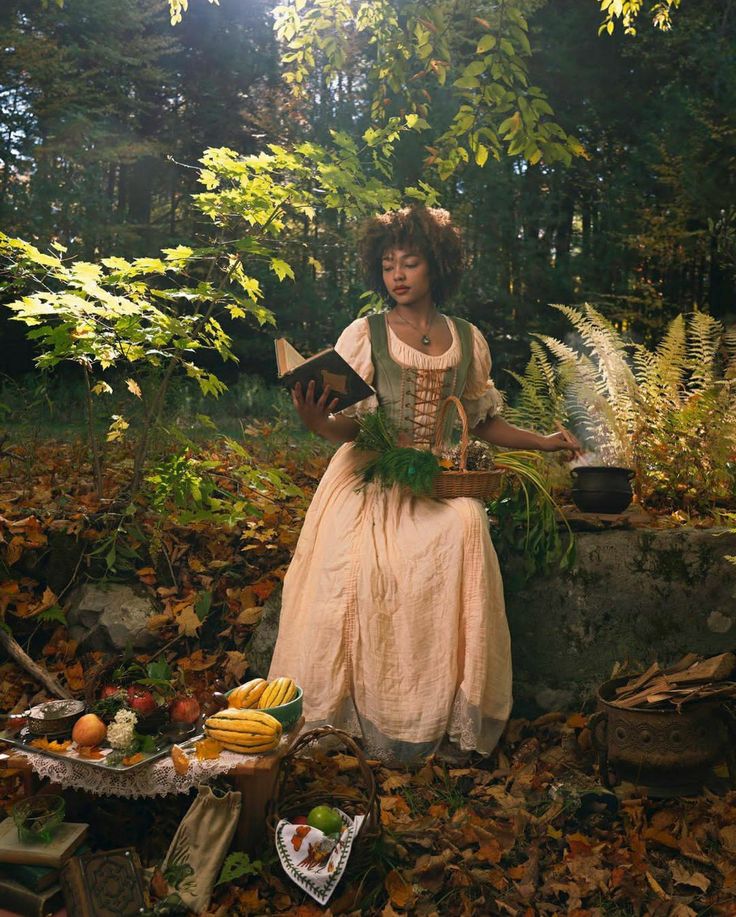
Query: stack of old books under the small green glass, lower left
[30, 873]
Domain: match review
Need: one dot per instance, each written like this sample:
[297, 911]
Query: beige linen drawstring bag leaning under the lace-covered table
[200, 844]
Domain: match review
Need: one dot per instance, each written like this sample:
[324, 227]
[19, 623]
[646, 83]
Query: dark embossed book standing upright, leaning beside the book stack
[104, 884]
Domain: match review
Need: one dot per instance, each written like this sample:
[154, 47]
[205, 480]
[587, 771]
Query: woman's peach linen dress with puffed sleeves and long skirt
[393, 618]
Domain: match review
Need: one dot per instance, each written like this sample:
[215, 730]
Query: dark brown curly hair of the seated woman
[427, 230]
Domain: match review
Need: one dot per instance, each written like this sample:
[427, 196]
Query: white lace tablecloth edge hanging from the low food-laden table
[156, 779]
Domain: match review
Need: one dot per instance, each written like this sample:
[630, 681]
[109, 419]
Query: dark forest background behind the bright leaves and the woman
[105, 107]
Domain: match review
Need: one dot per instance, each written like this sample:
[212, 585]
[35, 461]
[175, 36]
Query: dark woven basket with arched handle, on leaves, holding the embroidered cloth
[360, 797]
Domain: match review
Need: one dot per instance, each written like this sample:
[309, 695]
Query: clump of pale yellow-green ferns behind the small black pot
[669, 413]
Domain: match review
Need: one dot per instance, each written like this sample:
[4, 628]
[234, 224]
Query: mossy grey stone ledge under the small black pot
[635, 595]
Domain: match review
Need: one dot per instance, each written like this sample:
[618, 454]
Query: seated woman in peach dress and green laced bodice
[393, 616]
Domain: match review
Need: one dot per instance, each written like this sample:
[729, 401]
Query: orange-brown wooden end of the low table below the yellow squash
[256, 779]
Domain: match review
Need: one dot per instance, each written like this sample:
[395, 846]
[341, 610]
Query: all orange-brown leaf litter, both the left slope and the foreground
[527, 831]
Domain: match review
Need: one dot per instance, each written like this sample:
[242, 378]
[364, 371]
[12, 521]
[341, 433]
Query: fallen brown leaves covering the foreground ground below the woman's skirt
[528, 831]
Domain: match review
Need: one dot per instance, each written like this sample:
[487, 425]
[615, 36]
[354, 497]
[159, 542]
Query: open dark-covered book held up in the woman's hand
[326, 368]
